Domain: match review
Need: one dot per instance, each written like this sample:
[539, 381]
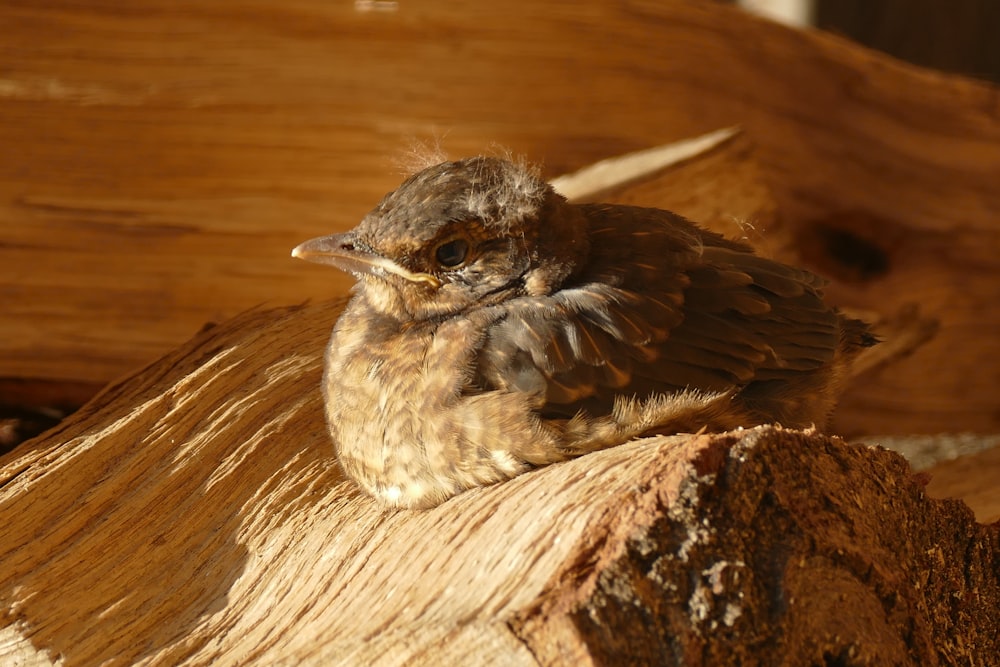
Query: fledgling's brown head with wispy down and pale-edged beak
[456, 235]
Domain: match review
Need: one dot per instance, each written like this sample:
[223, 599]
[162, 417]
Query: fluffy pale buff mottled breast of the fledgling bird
[394, 402]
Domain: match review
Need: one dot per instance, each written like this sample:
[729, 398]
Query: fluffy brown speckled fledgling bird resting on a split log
[495, 327]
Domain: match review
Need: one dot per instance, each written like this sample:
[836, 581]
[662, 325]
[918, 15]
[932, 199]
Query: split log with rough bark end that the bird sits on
[194, 514]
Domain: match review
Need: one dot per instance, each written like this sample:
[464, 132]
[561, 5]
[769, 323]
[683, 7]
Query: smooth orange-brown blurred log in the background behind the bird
[160, 161]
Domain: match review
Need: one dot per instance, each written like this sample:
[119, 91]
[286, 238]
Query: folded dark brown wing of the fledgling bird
[724, 320]
